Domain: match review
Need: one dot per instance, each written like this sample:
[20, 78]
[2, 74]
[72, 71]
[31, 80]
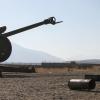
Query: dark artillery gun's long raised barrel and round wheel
[5, 44]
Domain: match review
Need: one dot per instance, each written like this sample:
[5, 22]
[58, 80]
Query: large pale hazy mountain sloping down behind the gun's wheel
[23, 55]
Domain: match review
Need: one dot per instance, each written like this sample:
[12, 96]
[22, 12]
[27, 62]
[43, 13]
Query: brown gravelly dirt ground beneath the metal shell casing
[28, 86]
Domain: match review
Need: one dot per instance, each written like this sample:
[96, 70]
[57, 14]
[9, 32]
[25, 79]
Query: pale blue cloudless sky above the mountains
[78, 37]
